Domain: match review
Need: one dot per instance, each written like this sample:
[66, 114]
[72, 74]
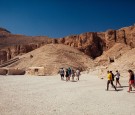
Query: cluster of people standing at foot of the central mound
[69, 73]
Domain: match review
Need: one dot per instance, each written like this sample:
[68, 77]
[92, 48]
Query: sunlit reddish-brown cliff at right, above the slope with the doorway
[124, 35]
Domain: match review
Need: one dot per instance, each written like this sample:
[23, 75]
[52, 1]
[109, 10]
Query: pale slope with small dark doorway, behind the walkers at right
[123, 59]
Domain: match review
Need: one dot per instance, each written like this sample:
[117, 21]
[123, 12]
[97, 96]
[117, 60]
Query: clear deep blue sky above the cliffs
[59, 18]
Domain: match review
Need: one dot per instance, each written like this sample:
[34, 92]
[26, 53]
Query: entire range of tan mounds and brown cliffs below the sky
[102, 49]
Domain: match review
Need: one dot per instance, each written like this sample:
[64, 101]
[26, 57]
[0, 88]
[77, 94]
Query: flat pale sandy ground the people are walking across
[48, 95]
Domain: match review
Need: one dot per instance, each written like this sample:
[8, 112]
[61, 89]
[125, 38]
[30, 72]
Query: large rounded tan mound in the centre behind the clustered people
[53, 57]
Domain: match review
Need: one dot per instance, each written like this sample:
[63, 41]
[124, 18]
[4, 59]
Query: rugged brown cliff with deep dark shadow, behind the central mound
[89, 43]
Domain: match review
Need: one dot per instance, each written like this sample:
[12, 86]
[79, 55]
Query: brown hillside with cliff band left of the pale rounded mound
[12, 45]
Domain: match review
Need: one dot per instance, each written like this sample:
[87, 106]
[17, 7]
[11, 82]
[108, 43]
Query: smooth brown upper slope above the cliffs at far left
[7, 39]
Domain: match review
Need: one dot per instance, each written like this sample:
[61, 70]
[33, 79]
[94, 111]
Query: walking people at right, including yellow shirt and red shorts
[111, 76]
